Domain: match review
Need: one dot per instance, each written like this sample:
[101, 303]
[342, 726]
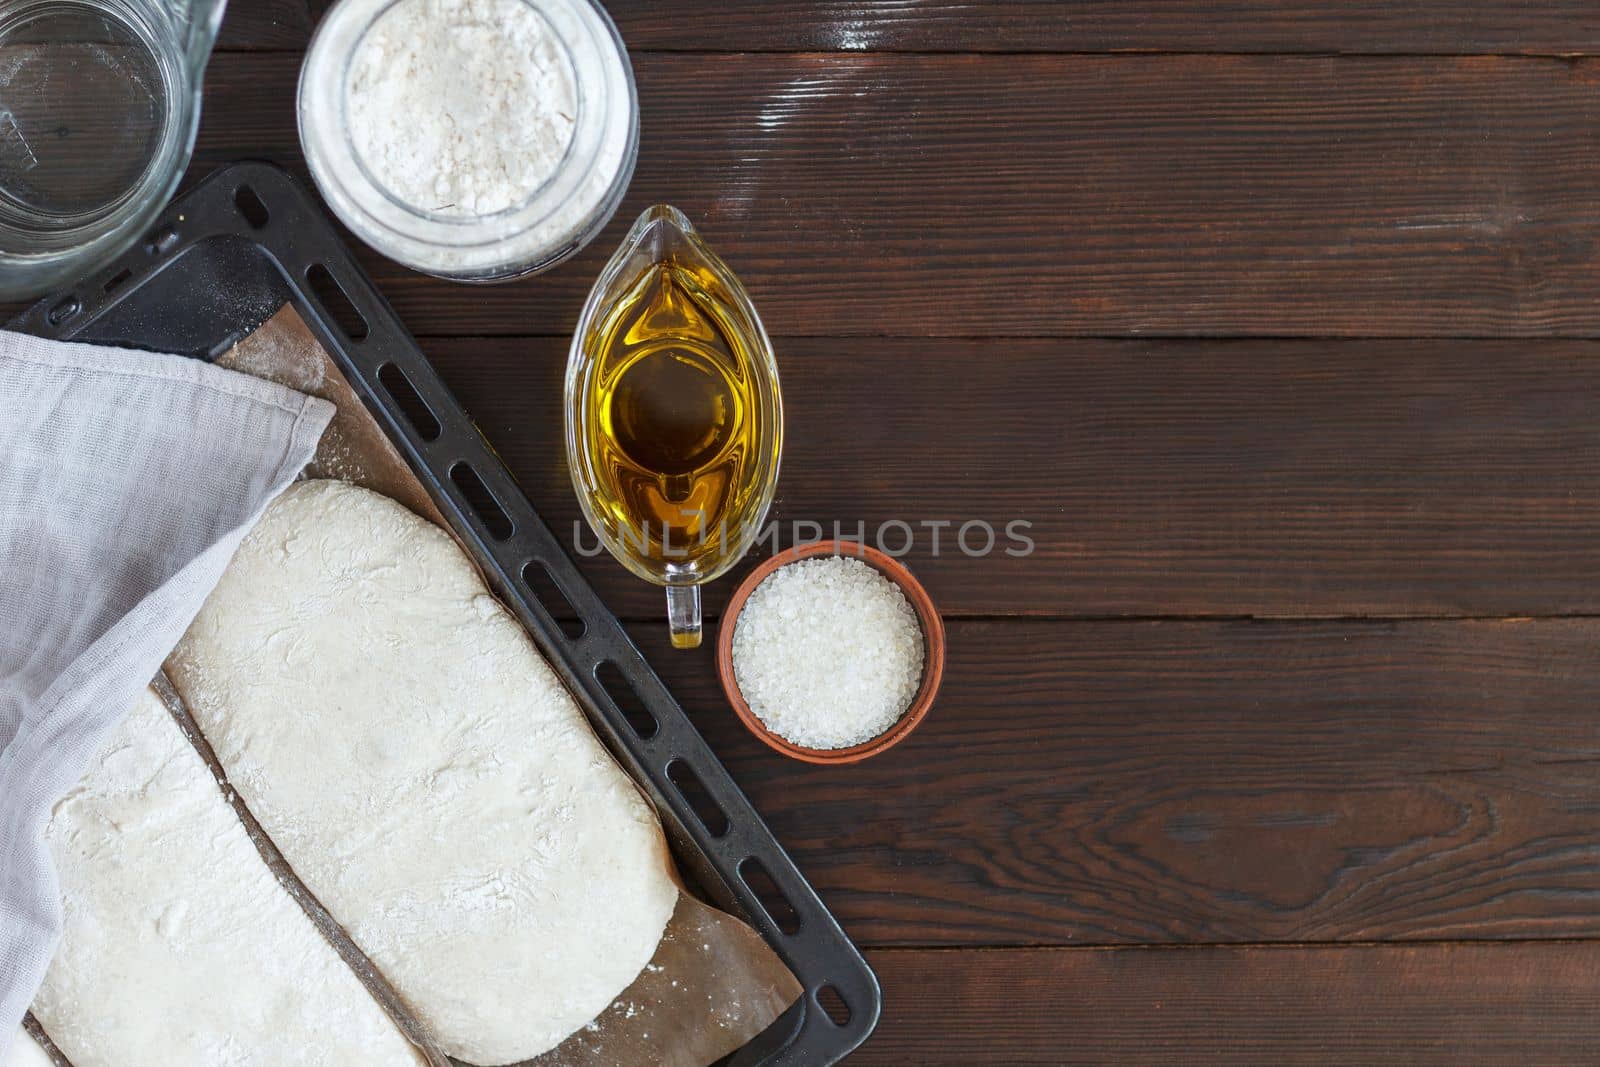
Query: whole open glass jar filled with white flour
[471, 140]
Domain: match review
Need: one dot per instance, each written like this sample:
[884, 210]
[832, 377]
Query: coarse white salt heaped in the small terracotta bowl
[828, 653]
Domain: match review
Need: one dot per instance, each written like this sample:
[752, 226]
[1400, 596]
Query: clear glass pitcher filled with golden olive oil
[674, 422]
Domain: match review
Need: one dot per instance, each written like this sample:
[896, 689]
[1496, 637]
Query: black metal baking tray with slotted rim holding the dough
[249, 241]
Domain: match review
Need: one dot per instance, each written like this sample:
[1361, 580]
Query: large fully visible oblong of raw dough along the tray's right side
[425, 773]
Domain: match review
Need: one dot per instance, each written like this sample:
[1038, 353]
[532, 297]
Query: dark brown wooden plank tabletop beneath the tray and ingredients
[1276, 322]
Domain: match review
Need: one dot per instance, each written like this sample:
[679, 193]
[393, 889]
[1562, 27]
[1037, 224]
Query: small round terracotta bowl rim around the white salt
[934, 660]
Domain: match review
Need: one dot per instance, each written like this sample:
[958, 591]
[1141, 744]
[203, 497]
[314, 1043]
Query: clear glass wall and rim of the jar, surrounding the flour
[561, 217]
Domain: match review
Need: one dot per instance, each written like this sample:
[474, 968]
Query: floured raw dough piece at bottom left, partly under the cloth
[180, 946]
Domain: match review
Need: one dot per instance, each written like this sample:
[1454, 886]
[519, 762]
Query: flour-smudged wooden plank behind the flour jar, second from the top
[1041, 196]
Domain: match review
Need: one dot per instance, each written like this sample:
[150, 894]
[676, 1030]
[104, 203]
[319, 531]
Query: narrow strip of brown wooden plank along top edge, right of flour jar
[1287, 26]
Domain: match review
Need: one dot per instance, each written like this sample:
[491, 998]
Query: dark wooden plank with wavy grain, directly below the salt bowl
[1146, 783]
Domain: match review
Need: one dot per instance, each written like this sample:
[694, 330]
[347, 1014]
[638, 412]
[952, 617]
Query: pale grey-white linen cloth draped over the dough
[127, 481]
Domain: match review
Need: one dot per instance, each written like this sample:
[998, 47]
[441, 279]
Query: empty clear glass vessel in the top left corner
[100, 105]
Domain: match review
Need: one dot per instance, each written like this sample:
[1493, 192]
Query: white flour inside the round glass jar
[462, 108]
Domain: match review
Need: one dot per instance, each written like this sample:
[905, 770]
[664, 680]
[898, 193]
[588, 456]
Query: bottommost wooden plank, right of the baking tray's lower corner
[1420, 1005]
